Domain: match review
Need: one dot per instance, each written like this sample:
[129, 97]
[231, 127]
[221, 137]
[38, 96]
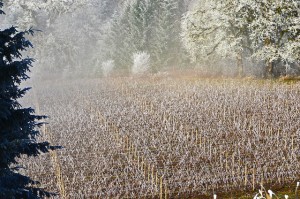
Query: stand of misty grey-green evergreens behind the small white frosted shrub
[146, 26]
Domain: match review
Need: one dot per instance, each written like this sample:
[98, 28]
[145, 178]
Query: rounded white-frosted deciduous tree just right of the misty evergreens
[217, 30]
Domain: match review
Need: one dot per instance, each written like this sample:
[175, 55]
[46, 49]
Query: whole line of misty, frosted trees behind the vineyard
[227, 37]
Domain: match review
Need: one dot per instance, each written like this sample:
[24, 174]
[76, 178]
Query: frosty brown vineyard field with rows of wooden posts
[131, 138]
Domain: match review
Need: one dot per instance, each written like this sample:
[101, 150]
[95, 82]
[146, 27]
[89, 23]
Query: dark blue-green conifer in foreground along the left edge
[18, 126]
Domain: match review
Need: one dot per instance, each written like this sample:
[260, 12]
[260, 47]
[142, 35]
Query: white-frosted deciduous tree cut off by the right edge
[276, 32]
